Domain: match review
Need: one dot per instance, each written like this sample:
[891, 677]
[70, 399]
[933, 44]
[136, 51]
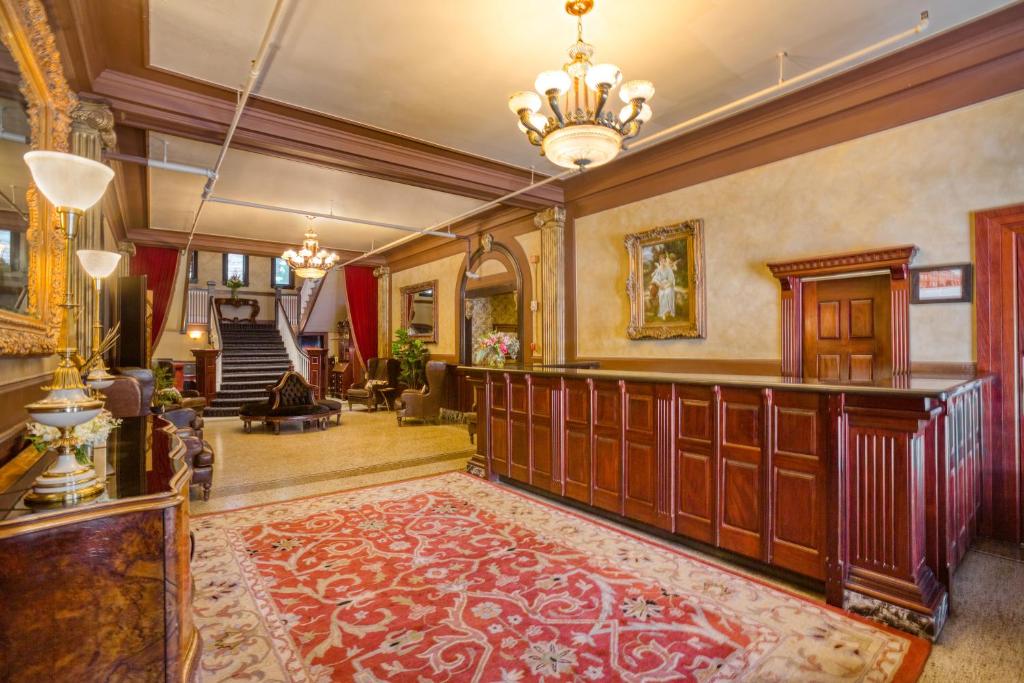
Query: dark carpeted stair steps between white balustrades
[252, 357]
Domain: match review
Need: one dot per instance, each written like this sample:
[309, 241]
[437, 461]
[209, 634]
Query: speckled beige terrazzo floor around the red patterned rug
[984, 639]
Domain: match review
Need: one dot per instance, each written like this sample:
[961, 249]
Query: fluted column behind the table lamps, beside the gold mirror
[92, 134]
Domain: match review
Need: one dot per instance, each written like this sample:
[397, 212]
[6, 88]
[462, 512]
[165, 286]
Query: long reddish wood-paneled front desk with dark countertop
[872, 490]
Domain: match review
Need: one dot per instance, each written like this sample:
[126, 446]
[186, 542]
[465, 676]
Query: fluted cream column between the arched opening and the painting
[552, 225]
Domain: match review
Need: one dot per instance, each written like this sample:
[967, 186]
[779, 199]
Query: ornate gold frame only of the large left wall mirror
[26, 33]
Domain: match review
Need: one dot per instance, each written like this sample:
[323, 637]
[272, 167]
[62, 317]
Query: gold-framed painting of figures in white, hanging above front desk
[666, 284]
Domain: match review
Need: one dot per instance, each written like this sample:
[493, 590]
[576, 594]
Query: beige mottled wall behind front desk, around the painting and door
[917, 184]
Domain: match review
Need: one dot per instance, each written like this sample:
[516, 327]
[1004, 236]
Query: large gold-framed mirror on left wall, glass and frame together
[35, 106]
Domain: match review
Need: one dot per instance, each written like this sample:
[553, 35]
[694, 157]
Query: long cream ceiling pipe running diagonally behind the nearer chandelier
[686, 126]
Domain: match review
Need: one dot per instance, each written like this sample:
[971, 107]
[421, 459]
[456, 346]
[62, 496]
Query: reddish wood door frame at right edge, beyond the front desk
[999, 235]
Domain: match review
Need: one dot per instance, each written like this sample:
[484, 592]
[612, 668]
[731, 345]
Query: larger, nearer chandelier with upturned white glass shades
[581, 134]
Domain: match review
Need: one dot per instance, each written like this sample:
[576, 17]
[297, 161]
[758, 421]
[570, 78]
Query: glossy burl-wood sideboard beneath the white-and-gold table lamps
[102, 591]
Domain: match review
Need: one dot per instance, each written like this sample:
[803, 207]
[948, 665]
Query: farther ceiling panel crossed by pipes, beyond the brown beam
[248, 177]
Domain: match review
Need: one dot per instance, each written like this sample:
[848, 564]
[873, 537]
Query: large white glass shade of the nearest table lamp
[69, 181]
